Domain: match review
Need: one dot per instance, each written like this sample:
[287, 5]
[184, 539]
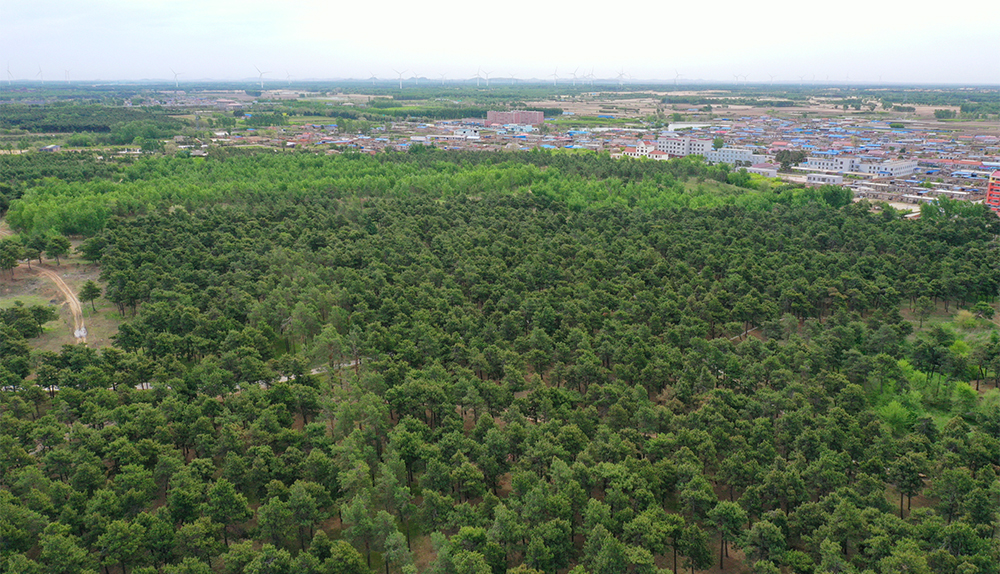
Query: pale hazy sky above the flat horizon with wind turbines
[856, 40]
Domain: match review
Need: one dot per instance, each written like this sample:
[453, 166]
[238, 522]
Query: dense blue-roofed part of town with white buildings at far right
[880, 161]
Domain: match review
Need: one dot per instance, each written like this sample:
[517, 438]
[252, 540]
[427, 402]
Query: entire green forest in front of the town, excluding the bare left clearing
[459, 364]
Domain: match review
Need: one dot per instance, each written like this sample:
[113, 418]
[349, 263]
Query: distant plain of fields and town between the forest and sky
[903, 145]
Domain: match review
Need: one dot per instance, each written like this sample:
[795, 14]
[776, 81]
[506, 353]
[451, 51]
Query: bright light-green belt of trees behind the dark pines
[77, 205]
